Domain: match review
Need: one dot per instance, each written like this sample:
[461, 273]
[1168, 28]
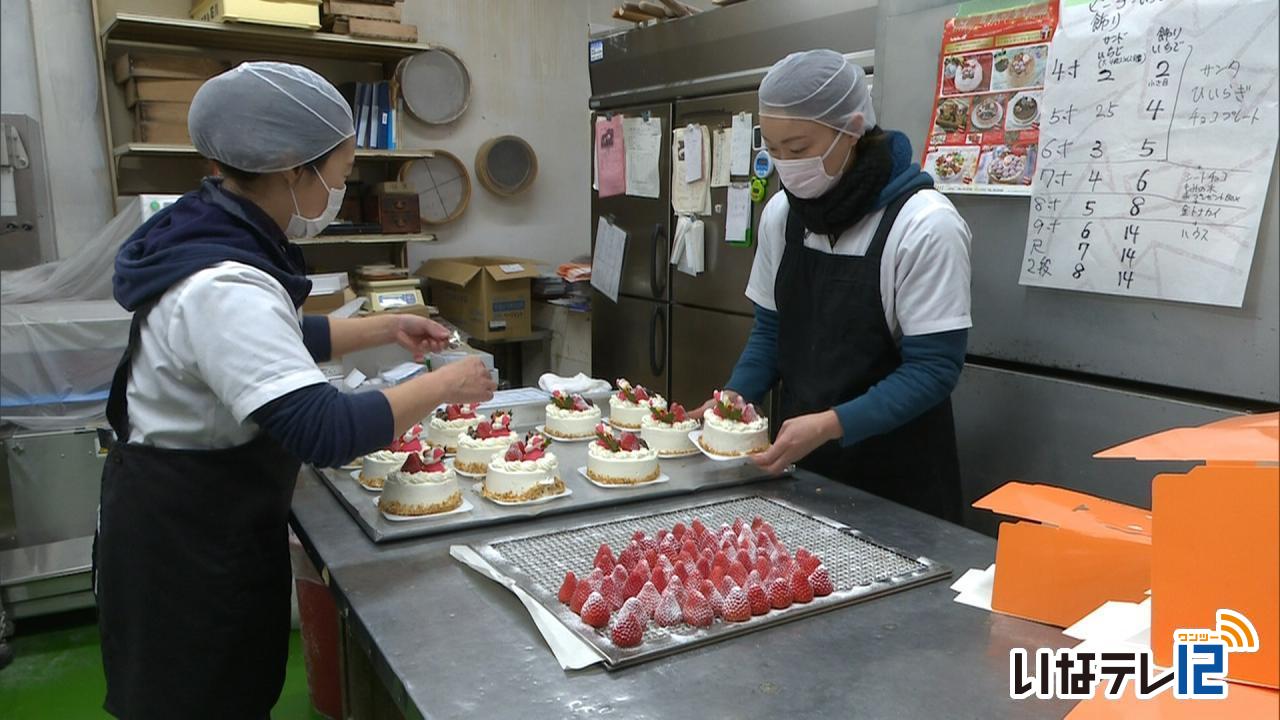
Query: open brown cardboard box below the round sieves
[487, 297]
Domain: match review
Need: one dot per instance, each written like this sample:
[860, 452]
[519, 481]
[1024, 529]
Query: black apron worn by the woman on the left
[191, 571]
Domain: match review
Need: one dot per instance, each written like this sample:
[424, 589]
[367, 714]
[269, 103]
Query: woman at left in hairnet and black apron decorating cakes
[218, 400]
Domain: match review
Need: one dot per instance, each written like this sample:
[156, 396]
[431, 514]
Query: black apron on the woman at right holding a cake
[834, 344]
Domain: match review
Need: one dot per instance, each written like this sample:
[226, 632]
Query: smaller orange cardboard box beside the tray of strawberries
[1069, 555]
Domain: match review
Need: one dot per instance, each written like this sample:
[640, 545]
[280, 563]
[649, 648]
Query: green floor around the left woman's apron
[58, 675]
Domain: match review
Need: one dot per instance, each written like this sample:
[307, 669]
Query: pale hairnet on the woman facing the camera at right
[821, 86]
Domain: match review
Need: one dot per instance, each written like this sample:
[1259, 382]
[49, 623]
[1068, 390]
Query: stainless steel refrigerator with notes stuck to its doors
[673, 332]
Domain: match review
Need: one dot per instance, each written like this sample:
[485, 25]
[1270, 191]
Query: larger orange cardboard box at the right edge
[1217, 536]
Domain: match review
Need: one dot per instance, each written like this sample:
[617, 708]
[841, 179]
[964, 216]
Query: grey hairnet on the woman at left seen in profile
[268, 117]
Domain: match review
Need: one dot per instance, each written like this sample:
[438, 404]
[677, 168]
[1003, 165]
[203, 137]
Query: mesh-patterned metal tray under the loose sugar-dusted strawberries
[861, 569]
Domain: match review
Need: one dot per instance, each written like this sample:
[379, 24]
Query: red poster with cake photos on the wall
[985, 131]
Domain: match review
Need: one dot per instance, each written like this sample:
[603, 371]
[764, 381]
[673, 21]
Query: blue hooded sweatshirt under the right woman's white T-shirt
[931, 363]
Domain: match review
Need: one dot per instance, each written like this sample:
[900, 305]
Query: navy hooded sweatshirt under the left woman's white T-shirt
[212, 226]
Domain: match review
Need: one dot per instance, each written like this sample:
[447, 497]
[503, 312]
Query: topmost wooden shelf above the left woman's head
[126, 28]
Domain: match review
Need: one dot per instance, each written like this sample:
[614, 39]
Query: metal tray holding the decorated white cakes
[688, 475]
